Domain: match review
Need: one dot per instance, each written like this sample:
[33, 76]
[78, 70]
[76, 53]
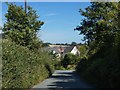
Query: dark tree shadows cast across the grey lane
[67, 80]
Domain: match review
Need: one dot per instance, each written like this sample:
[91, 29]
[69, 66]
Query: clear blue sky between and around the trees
[60, 20]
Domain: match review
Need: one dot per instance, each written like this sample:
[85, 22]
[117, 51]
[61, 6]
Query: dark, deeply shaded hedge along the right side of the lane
[102, 68]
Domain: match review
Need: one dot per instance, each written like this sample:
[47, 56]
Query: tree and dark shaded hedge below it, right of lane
[101, 29]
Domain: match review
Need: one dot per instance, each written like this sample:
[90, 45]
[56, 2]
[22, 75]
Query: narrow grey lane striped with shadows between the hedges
[63, 79]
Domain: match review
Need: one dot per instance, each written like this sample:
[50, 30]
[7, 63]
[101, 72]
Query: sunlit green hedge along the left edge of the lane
[23, 68]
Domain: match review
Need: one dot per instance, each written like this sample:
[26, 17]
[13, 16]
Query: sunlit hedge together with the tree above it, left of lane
[24, 63]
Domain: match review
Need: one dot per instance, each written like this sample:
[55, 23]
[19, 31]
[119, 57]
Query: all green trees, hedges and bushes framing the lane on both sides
[24, 64]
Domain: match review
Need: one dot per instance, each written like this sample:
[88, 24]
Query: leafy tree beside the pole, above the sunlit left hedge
[21, 26]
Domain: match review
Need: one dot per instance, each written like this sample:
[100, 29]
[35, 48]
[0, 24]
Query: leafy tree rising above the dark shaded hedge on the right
[100, 23]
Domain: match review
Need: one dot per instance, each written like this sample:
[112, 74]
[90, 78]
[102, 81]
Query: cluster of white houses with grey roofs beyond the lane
[62, 50]
